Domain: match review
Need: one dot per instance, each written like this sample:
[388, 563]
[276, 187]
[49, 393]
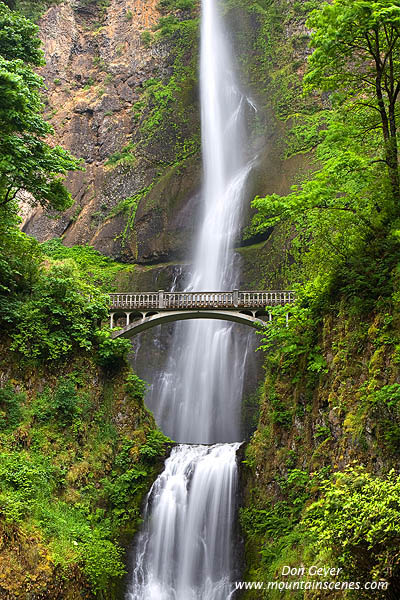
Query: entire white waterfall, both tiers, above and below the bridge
[184, 551]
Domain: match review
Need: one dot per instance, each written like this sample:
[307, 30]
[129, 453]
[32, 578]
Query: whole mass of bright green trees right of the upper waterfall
[346, 211]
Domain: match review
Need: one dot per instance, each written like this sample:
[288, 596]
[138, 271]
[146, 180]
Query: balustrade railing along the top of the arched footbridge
[186, 300]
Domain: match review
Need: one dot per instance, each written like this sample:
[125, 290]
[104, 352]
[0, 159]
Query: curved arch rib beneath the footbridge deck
[148, 322]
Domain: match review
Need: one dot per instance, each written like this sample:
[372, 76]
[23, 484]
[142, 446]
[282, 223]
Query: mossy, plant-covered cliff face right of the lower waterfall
[327, 446]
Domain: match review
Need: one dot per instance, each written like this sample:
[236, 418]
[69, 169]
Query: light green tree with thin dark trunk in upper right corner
[357, 52]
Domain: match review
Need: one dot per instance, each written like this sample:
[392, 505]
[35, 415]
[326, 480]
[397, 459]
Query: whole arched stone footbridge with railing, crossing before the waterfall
[137, 312]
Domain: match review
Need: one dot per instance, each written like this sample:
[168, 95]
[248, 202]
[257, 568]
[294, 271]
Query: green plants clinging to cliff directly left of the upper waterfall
[165, 114]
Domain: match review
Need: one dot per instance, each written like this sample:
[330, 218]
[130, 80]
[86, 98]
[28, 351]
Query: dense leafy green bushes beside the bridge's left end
[56, 311]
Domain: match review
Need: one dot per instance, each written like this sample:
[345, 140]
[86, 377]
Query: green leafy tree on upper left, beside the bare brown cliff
[27, 161]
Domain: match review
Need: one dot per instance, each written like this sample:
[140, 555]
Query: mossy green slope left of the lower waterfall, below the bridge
[79, 450]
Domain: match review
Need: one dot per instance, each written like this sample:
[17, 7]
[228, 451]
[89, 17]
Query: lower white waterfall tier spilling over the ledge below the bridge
[184, 549]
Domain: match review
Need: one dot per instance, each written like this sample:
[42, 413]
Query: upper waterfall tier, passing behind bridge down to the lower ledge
[203, 382]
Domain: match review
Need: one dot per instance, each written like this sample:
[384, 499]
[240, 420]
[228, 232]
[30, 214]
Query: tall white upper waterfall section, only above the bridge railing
[225, 164]
